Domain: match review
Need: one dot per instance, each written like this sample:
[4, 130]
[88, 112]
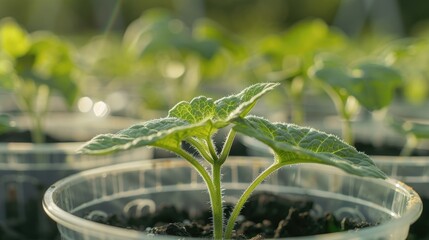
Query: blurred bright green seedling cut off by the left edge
[32, 67]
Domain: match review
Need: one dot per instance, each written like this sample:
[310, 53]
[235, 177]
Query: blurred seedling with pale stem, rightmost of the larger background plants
[365, 83]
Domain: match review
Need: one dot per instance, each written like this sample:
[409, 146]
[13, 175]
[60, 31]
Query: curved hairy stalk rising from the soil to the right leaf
[246, 194]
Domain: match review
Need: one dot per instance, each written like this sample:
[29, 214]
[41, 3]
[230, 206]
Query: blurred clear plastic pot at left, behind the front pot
[26, 172]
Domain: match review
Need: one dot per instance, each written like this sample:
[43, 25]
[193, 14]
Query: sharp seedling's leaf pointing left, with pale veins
[165, 133]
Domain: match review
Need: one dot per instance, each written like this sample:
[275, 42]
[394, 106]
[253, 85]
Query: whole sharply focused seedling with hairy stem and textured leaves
[197, 121]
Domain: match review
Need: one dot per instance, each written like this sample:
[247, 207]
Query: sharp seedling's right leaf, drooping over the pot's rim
[295, 144]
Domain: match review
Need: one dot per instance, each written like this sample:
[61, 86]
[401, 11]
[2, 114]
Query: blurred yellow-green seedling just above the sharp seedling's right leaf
[286, 57]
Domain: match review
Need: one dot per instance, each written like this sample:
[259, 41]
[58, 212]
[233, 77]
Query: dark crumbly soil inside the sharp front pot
[264, 216]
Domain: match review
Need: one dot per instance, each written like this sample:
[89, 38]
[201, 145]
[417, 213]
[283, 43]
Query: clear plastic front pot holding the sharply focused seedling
[128, 188]
